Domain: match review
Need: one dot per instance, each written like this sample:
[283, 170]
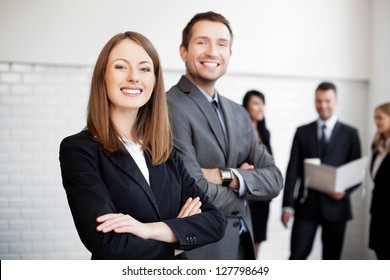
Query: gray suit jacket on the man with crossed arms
[198, 138]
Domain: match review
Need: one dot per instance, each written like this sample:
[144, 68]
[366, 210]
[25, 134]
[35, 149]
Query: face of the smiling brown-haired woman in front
[129, 76]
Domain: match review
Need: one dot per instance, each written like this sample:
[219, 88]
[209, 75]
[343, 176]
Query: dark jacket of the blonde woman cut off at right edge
[379, 226]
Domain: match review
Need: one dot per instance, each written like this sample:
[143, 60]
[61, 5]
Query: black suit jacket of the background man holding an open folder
[343, 147]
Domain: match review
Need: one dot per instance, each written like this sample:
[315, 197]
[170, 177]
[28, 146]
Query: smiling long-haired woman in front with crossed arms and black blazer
[128, 191]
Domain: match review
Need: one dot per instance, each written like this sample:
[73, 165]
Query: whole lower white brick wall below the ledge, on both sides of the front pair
[41, 104]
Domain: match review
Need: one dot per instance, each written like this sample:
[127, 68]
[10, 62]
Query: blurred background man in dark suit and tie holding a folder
[335, 144]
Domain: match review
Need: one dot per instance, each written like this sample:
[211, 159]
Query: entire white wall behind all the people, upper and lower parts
[284, 48]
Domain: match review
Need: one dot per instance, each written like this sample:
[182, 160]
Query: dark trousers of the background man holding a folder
[303, 233]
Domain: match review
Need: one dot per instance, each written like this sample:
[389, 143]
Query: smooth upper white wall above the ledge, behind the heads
[326, 38]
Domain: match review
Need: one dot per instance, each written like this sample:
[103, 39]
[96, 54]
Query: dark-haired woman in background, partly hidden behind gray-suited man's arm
[254, 102]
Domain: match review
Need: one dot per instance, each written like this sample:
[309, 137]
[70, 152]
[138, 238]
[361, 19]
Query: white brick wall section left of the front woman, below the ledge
[39, 106]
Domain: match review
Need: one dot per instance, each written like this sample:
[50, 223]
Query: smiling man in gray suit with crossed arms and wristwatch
[215, 138]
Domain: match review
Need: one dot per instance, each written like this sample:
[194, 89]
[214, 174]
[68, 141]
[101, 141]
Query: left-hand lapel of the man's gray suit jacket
[206, 108]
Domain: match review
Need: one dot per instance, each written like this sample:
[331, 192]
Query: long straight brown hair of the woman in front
[152, 125]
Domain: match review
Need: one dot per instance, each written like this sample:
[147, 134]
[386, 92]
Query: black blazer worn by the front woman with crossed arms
[97, 184]
